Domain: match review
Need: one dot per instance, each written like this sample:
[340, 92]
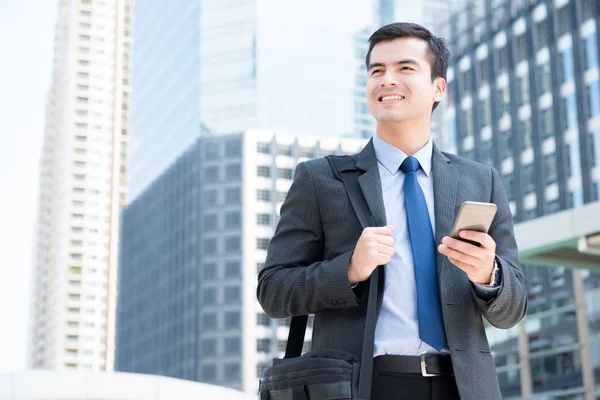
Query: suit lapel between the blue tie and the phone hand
[445, 183]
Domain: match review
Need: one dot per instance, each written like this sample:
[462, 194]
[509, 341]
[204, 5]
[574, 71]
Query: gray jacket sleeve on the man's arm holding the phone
[510, 305]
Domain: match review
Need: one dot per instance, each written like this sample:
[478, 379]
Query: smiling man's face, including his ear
[399, 87]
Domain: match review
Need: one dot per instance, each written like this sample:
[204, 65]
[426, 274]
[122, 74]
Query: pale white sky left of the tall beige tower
[26, 47]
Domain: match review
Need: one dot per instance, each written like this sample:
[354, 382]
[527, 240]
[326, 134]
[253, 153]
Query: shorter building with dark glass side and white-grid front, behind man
[191, 247]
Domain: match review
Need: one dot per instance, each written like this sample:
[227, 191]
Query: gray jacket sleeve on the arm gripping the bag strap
[295, 279]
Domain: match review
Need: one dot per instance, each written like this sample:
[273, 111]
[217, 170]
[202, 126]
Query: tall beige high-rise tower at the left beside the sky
[82, 188]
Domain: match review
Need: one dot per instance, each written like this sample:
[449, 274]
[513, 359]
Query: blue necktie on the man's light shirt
[431, 324]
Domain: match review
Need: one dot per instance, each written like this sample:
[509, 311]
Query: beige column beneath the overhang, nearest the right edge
[587, 367]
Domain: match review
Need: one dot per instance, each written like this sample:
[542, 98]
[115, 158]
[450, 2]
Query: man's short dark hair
[438, 53]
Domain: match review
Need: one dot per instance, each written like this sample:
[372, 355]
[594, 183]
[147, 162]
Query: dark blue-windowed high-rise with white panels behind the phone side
[524, 97]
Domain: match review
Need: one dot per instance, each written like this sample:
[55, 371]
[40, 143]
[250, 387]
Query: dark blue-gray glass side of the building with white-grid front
[180, 281]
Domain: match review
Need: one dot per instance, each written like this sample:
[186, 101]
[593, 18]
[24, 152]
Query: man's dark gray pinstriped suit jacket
[307, 262]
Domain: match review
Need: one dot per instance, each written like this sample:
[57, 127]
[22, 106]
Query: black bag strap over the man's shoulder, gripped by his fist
[344, 168]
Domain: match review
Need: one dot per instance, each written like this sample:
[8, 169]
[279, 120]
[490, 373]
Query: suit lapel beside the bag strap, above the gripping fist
[370, 183]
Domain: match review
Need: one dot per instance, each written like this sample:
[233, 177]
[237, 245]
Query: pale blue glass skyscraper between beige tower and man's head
[220, 66]
